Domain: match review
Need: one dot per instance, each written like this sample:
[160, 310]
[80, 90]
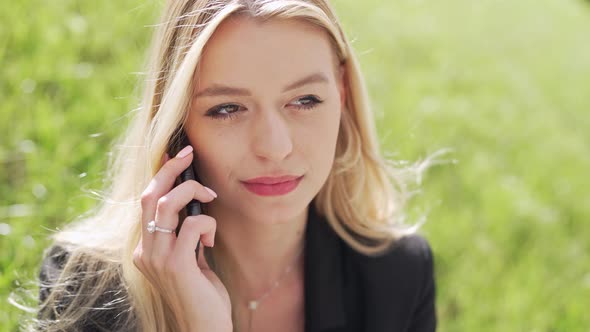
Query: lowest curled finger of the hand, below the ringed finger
[194, 228]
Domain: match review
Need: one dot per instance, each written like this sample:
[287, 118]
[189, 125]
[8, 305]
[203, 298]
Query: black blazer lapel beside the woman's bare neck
[323, 276]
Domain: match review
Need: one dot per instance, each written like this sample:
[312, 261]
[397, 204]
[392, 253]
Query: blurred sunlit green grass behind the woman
[505, 84]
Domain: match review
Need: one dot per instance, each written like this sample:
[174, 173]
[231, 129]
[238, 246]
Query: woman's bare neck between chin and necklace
[255, 255]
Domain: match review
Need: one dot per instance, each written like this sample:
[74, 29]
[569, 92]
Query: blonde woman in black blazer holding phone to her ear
[300, 229]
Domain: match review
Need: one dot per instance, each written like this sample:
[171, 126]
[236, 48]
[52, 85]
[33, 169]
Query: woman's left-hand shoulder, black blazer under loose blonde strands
[88, 288]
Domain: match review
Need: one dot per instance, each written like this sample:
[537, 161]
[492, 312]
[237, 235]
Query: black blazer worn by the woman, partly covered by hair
[344, 291]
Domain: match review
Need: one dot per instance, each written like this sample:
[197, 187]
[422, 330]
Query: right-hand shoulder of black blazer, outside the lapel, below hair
[400, 285]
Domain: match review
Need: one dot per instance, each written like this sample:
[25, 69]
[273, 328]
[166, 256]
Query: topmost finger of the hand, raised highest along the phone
[158, 187]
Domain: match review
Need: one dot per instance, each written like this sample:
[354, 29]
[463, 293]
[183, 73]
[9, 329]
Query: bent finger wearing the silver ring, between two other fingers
[168, 208]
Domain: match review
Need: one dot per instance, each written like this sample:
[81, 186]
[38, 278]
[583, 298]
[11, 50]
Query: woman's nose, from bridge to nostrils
[272, 136]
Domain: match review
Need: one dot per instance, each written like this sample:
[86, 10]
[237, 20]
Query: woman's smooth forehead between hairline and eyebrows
[247, 51]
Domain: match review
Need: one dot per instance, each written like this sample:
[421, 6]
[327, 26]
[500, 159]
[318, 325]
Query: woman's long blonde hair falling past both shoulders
[362, 199]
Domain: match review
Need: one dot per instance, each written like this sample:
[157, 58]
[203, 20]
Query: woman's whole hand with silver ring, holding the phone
[195, 293]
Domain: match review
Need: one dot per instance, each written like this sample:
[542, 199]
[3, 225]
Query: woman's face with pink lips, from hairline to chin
[267, 103]
